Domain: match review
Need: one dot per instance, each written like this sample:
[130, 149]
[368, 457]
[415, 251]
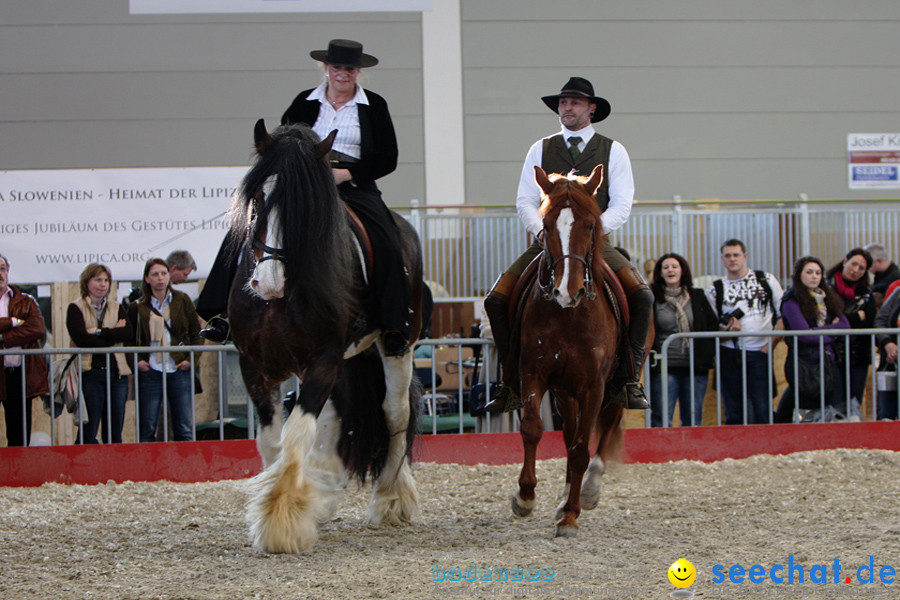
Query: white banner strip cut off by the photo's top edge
[148, 7]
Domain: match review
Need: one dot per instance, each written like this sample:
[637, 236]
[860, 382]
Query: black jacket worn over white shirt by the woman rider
[379, 142]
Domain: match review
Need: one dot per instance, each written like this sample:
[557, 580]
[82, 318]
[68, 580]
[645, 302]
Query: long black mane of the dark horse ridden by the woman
[291, 176]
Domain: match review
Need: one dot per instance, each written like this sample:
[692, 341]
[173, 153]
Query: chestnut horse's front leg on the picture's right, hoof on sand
[577, 457]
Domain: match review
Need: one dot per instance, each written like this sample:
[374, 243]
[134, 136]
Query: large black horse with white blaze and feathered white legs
[298, 306]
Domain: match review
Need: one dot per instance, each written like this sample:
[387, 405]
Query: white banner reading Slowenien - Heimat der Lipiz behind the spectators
[56, 222]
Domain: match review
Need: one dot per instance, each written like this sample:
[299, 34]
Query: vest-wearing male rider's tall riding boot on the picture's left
[496, 305]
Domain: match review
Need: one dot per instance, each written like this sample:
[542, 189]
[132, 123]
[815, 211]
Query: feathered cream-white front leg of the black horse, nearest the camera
[284, 505]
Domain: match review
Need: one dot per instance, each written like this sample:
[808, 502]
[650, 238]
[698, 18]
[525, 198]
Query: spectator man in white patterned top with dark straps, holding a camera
[745, 300]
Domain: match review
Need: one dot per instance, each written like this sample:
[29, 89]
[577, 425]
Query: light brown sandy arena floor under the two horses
[166, 540]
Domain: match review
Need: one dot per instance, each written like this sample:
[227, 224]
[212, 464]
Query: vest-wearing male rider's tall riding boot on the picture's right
[640, 306]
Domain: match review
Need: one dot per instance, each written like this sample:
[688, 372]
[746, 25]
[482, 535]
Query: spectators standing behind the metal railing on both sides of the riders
[826, 374]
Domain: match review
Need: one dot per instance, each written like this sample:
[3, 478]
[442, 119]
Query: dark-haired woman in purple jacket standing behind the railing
[811, 305]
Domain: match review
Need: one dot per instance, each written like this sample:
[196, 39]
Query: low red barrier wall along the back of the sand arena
[238, 459]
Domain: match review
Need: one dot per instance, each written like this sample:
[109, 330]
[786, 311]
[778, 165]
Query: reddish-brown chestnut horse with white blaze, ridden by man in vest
[569, 336]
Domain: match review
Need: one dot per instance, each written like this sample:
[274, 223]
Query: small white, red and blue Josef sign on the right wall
[873, 161]
